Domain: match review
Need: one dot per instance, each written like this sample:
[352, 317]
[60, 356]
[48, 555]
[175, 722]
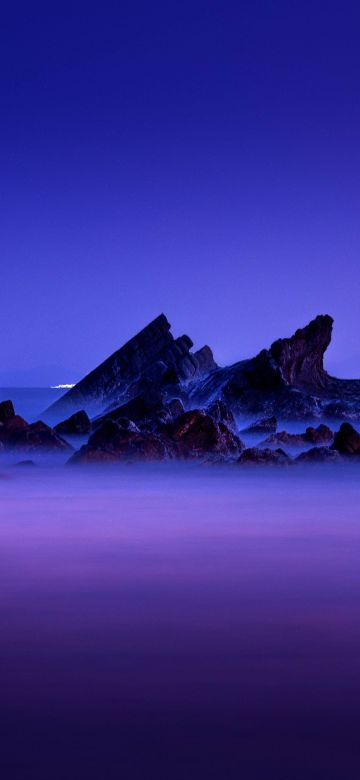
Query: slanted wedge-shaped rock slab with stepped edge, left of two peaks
[152, 358]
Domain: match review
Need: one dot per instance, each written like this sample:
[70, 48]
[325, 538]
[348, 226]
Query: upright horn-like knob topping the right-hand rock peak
[300, 358]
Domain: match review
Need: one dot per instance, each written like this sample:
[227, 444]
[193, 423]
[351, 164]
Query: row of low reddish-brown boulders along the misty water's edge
[153, 429]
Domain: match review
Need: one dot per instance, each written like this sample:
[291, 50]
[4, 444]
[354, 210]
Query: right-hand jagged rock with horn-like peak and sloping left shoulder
[287, 380]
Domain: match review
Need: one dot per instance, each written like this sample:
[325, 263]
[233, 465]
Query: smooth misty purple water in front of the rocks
[197, 623]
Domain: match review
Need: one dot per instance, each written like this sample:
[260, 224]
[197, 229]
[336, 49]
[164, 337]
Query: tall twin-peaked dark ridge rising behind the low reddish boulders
[287, 380]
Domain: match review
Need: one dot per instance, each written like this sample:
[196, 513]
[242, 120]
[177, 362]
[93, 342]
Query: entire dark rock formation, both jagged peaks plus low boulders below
[156, 399]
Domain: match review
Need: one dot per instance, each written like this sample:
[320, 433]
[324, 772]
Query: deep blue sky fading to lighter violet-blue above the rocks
[200, 159]
